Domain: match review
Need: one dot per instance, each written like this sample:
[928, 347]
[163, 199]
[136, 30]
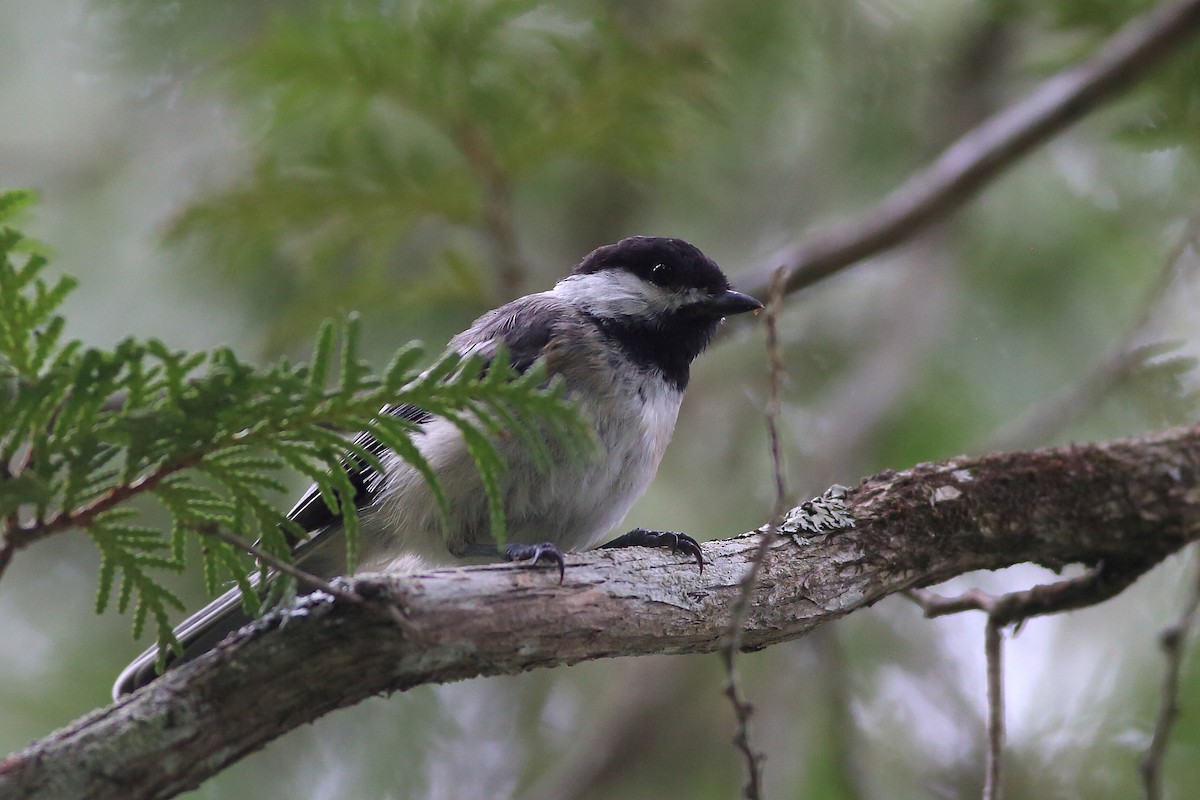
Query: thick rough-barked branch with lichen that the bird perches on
[1125, 506]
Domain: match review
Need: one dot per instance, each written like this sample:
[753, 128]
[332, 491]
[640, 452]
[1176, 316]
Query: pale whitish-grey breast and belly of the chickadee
[575, 503]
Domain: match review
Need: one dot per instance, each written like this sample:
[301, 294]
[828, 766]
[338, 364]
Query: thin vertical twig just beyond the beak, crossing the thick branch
[742, 709]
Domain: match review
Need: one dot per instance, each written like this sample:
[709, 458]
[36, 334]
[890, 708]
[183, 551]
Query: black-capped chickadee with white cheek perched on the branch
[621, 332]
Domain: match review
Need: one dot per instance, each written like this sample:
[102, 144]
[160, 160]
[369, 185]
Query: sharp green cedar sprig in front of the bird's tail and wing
[86, 434]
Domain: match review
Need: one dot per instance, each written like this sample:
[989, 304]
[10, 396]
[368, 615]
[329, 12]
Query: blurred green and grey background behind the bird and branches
[236, 171]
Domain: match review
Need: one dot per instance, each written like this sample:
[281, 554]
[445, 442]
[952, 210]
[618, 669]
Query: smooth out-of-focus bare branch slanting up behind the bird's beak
[976, 159]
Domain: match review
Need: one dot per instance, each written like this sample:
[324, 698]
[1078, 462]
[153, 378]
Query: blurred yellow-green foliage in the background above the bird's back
[376, 124]
